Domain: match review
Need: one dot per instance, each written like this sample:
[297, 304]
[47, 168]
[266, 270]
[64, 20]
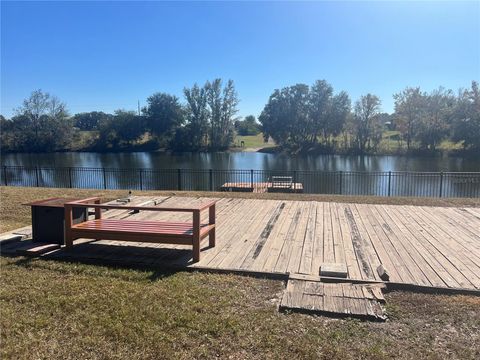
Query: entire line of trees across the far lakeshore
[297, 118]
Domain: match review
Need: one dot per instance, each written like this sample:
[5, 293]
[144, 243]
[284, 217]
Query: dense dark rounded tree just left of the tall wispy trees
[164, 114]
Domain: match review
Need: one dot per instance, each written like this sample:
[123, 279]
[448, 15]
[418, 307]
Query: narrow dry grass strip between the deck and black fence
[14, 215]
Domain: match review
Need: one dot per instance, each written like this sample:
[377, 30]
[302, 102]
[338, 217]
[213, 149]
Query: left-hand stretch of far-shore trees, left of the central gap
[206, 120]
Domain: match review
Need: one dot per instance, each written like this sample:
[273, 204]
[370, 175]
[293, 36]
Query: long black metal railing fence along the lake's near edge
[389, 183]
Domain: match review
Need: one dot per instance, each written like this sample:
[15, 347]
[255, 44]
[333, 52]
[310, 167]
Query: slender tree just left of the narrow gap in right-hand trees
[368, 129]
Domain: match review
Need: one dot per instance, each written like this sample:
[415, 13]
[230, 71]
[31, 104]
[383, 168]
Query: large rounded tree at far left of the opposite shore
[44, 118]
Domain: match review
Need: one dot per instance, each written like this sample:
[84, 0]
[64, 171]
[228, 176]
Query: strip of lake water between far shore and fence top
[242, 160]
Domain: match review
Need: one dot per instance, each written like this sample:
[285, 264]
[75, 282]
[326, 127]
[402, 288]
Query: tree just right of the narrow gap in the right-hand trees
[409, 110]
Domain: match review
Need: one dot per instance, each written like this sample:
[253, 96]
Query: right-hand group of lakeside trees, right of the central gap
[302, 117]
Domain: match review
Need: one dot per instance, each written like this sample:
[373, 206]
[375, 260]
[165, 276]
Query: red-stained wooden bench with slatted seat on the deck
[178, 233]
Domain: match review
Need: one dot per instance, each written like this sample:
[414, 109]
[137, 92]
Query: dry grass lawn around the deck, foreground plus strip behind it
[60, 310]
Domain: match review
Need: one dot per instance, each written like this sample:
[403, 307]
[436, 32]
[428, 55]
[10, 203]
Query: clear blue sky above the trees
[107, 55]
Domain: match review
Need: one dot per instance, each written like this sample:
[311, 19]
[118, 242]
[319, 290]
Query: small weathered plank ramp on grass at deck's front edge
[364, 301]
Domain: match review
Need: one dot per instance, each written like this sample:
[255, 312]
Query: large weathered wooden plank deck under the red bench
[424, 247]
